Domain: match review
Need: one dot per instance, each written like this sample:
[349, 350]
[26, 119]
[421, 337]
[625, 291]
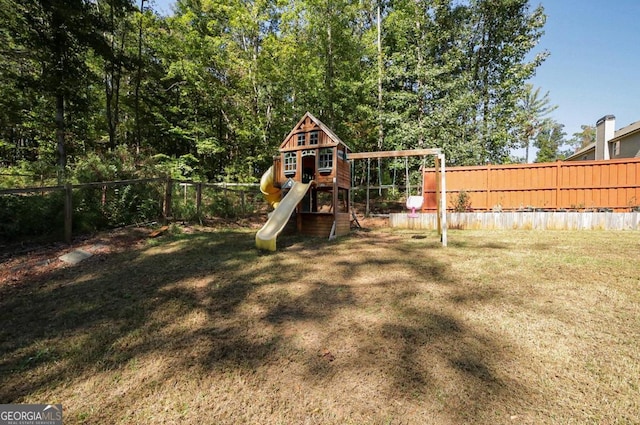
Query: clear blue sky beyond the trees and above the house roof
[594, 65]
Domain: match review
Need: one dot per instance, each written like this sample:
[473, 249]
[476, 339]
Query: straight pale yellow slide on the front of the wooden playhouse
[266, 237]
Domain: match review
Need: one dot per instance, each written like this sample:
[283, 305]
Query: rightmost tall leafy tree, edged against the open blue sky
[504, 32]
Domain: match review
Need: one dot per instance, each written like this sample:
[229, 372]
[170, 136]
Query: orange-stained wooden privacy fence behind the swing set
[585, 185]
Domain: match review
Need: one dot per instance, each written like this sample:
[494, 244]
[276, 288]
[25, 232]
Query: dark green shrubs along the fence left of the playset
[60, 211]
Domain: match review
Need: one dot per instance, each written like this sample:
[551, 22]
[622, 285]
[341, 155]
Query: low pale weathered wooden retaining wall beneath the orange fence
[522, 220]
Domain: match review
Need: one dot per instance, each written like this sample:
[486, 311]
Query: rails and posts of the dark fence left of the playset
[168, 201]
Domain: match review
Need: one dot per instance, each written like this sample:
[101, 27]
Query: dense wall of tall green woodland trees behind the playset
[211, 91]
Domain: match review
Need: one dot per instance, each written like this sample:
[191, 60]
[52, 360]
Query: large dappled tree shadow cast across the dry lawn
[110, 311]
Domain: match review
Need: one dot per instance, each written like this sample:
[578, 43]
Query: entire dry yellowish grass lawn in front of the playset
[380, 327]
